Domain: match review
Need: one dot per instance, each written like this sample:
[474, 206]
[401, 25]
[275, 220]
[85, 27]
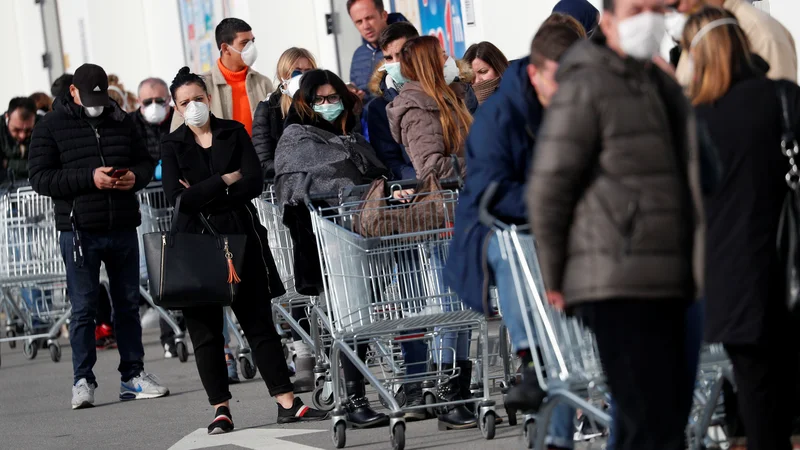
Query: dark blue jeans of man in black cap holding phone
[119, 250]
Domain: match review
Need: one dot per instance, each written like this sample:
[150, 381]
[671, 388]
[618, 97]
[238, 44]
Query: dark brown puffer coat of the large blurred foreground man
[614, 196]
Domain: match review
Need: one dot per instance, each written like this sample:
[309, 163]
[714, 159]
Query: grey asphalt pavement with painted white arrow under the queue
[35, 413]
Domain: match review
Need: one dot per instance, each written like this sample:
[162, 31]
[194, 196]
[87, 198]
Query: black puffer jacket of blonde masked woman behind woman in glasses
[267, 131]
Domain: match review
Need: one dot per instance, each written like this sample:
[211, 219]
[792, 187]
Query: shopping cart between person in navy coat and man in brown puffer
[566, 360]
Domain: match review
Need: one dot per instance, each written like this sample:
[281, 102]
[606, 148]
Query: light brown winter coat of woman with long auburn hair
[414, 119]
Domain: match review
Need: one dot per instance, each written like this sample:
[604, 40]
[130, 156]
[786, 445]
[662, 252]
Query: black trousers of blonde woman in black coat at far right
[766, 385]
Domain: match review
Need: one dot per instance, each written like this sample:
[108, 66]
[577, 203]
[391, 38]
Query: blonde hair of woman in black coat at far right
[718, 56]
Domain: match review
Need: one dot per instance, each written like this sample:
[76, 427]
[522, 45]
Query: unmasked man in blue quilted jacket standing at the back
[370, 17]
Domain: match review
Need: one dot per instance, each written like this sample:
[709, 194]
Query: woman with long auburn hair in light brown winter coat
[432, 122]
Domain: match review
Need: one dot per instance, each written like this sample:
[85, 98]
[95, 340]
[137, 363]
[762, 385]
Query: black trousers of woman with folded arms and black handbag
[255, 316]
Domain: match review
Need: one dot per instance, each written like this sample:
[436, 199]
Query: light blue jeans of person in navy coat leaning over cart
[562, 425]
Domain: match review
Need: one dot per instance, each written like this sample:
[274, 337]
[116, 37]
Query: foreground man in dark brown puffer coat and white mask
[615, 202]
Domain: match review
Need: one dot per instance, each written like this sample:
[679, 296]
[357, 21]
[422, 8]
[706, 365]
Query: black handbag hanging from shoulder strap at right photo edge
[789, 225]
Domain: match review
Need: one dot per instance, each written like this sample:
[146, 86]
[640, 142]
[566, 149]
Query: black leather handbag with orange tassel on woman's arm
[190, 269]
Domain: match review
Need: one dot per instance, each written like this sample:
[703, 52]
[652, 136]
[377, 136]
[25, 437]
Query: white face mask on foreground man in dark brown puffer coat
[640, 36]
